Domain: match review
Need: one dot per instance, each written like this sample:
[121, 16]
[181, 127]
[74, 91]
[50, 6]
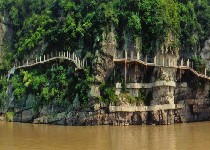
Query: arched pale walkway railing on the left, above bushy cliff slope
[52, 56]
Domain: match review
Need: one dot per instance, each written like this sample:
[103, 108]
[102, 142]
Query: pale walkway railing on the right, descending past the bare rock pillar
[124, 56]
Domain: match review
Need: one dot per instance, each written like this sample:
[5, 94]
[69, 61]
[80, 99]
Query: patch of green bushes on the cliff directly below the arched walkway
[56, 85]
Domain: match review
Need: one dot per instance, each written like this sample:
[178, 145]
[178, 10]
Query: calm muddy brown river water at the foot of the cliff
[19, 136]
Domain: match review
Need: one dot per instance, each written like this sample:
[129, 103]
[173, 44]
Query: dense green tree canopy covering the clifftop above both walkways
[78, 24]
